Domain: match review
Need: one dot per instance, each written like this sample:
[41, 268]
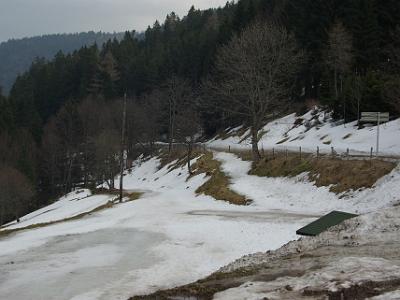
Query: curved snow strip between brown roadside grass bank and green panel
[301, 196]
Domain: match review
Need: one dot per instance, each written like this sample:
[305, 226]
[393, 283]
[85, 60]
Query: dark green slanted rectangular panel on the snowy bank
[324, 223]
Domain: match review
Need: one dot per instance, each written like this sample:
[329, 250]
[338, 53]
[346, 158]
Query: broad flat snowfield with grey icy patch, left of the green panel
[167, 238]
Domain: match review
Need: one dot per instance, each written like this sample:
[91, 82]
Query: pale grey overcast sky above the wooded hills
[23, 18]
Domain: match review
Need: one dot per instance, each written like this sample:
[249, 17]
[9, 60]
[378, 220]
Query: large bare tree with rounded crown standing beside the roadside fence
[254, 74]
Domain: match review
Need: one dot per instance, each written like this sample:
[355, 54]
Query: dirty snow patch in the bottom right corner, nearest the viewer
[348, 271]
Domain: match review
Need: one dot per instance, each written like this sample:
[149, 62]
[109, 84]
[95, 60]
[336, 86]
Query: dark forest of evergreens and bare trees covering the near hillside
[60, 127]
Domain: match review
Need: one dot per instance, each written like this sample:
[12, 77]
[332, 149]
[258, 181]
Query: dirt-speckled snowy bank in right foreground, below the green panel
[379, 229]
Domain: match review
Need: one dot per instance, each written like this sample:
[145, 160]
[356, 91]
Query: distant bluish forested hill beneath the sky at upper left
[17, 55]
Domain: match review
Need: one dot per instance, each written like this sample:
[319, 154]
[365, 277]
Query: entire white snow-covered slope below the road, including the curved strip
[167, 238]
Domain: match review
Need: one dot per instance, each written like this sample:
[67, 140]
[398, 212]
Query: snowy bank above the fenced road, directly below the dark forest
[316, 129]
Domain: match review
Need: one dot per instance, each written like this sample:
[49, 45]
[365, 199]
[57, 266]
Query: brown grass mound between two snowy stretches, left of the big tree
[218, 184]
